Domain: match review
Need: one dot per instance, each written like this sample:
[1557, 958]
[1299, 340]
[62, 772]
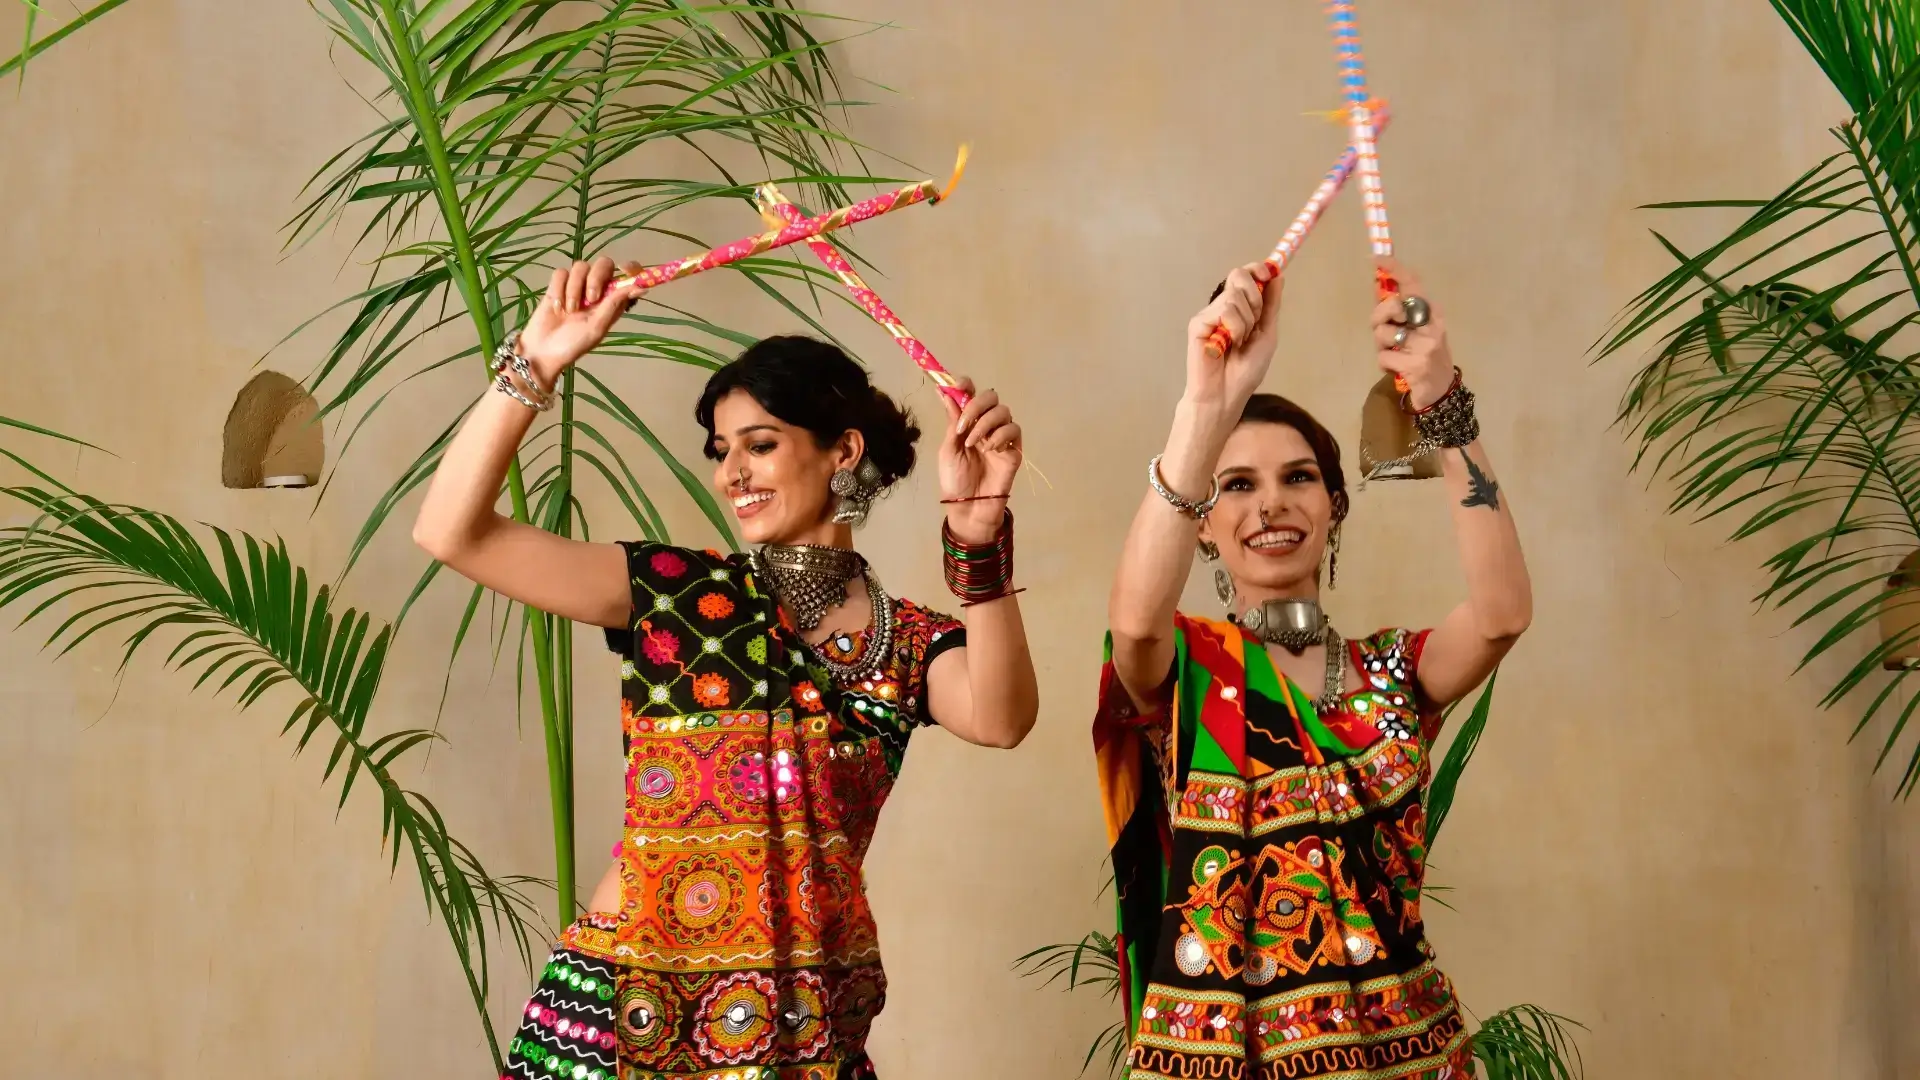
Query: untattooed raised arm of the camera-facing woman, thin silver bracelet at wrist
[1161, 545]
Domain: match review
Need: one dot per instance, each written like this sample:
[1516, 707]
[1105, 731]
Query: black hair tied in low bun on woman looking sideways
[813, 385]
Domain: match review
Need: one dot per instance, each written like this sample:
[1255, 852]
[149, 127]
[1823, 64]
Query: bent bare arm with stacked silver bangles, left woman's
[460, 524]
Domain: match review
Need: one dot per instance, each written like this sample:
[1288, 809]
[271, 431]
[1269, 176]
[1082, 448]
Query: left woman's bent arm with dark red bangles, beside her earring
[984, 693]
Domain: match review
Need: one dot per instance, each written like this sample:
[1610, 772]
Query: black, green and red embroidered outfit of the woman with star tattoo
[1270, 868]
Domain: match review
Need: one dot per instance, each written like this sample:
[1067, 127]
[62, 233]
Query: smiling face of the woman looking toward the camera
[1270, 468]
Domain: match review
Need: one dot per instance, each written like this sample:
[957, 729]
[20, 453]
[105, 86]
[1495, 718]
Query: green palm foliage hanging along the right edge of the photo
[1785, 381]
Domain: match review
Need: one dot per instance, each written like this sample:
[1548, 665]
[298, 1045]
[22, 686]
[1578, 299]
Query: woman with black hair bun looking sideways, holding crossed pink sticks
[767, 702]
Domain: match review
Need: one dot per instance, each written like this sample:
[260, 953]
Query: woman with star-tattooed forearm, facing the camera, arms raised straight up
[1264, 777]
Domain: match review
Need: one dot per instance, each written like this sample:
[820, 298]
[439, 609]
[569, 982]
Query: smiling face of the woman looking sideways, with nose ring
[775, 476]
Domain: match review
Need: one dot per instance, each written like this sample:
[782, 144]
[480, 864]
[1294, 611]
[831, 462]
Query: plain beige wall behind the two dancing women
[1662, 835]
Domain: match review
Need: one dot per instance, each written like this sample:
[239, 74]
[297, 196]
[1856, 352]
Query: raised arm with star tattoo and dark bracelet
[1500, 601]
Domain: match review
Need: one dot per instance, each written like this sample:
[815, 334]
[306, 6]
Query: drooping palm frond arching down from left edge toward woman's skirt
[249, 622]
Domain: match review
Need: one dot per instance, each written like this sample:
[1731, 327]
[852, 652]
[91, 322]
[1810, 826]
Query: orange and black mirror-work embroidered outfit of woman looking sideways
[744, 939]
